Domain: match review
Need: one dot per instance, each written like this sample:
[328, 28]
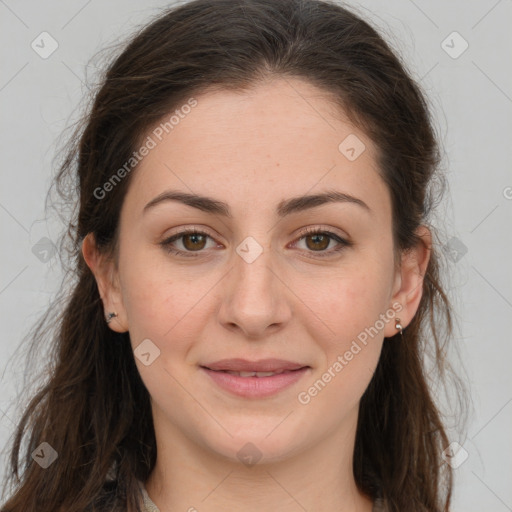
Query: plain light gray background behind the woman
[471, 93]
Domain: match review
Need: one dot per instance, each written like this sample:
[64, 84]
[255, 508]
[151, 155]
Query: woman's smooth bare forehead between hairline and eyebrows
[257, 146]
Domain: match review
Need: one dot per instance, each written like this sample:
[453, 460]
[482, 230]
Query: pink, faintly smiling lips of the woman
[255, 387]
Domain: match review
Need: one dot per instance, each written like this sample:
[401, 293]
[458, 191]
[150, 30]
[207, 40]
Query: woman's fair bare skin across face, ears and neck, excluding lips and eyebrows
[253, 149]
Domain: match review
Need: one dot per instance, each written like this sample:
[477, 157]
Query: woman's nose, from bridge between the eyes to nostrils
[255, 297]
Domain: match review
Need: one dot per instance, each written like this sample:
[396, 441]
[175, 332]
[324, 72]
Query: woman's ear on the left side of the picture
[107, 278]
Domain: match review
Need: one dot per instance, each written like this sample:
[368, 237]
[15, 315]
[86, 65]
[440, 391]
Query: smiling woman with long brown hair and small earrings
[256, 280]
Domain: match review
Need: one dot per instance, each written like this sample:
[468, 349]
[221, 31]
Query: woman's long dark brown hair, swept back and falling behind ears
[93, 408]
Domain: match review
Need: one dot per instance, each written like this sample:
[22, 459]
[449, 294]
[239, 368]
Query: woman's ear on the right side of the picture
[408, 285]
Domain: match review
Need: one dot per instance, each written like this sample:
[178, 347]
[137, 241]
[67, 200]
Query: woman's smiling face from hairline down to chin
[253, 284]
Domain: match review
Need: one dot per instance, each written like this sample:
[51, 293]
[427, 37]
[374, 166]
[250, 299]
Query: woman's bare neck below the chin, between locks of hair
[189, 477]
